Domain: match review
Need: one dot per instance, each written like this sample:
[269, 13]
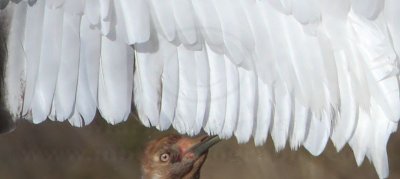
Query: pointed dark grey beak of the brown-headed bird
[202, 147]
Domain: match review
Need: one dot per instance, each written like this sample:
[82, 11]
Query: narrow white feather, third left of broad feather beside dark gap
[48, 68]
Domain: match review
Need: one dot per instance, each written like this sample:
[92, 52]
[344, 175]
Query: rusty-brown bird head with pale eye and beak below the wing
[176, 156]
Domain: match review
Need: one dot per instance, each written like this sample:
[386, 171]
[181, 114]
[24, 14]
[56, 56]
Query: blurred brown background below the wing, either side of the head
[56, 151]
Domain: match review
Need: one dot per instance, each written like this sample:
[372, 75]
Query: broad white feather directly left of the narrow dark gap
[115, 81]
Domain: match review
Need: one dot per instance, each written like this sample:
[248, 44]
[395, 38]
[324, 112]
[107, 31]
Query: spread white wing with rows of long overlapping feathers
[303, 71]
